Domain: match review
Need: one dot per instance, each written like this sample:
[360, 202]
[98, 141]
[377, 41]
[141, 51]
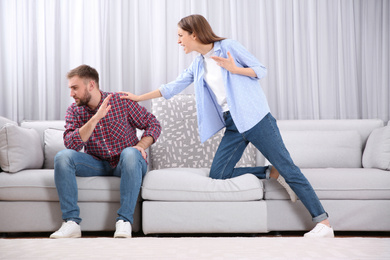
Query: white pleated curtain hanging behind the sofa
[326, 59]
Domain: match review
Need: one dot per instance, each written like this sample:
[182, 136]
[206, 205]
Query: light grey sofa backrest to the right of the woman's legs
[326, 143]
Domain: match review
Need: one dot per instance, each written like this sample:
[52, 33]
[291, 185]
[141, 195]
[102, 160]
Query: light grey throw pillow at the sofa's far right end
[377, 151]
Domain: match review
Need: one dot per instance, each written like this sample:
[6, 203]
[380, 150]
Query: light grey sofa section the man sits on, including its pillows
[28, 195]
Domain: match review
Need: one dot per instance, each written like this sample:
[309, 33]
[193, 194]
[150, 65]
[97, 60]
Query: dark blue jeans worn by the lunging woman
[265, 136]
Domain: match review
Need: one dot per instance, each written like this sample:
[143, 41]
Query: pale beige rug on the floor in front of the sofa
[196, 248]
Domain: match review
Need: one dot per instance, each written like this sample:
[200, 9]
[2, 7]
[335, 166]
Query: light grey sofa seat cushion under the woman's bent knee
[189, 184]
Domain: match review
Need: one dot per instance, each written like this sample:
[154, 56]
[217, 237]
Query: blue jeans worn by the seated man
[69, 163]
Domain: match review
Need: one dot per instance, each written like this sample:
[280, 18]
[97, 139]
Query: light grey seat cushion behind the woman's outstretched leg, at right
[339, 184]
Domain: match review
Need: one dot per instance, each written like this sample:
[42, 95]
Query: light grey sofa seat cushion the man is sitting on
[38, 185]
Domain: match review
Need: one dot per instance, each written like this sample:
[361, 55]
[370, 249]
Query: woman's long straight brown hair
[198, 24]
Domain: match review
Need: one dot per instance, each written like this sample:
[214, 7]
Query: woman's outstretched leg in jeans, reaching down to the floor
[266, 137]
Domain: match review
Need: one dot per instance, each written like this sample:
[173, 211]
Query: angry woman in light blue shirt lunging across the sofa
[228, 95]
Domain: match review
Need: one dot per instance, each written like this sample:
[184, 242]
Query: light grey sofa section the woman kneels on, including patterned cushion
[350, 175]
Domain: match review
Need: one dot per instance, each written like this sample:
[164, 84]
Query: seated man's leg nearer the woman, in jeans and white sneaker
[131, 168]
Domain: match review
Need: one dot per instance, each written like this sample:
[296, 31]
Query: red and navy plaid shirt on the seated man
[113, 133]
